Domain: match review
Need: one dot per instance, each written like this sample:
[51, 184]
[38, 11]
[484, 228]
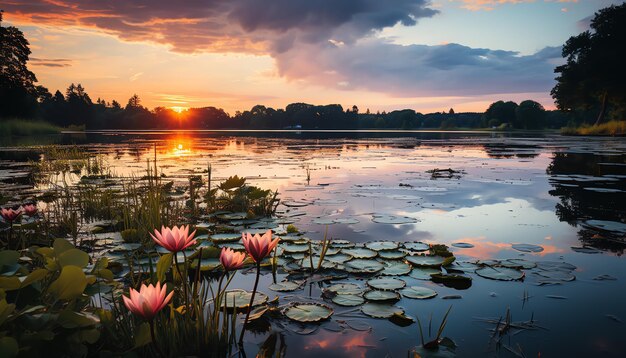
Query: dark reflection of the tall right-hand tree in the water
[578, 204]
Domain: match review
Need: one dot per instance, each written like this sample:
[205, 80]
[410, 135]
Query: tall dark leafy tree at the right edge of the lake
[594, 74]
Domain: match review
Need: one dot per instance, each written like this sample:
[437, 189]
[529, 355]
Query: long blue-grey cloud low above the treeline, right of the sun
[420, 70]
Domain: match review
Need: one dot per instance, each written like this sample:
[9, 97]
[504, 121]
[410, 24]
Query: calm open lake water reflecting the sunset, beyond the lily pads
[566, 195]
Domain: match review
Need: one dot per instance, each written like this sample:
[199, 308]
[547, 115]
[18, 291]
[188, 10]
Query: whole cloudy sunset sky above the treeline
[234, 54]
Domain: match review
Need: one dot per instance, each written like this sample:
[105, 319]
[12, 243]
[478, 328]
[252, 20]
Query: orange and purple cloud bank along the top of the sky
[225, 25]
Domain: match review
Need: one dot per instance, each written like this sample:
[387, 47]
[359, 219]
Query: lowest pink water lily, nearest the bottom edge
[148, 301]
